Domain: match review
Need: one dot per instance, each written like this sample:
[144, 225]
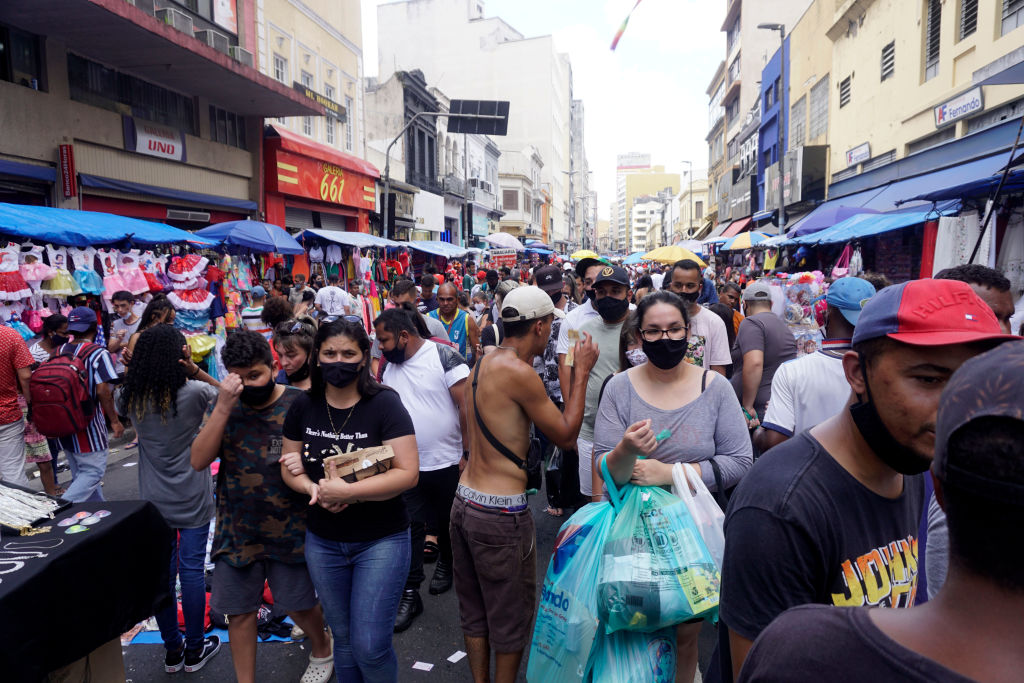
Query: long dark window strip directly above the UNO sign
[95, 84]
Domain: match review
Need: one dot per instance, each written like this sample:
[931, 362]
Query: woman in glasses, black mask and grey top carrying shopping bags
[698, 407]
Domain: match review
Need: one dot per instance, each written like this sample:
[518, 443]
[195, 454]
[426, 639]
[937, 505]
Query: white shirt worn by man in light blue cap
[805, 393]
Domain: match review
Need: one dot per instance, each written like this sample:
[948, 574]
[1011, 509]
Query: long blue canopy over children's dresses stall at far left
[72, 228]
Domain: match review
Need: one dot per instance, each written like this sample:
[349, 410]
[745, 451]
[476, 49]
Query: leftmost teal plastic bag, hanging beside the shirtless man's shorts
[567, 619]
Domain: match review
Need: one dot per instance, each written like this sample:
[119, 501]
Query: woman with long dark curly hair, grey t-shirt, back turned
[166, 396]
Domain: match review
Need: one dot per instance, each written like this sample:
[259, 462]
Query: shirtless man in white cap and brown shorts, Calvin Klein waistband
[493, 539]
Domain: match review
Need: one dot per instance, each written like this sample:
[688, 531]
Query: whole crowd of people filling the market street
[486, 388]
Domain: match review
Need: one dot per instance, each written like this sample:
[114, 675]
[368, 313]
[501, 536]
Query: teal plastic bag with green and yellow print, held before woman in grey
[656, 571]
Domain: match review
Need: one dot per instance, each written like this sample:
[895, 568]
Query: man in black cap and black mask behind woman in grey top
[612, 289]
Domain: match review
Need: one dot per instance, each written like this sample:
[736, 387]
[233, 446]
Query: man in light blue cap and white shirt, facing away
[814, 389]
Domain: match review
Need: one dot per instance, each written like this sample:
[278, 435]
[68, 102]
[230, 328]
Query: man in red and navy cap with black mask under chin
[832, 517]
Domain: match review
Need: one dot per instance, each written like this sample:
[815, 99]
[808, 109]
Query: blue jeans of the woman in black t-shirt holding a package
[360, 586]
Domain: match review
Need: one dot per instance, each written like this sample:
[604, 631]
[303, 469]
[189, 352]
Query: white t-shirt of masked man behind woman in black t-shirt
[423, 386]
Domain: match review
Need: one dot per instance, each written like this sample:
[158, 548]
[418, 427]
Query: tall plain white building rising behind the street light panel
[478, 58]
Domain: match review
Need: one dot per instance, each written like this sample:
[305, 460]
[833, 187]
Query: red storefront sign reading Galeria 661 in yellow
[293, 175]
